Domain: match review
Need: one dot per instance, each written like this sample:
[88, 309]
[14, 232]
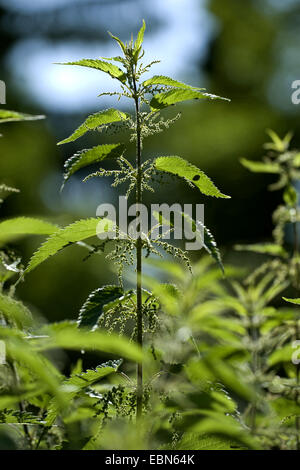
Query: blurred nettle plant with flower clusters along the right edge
[272, 334]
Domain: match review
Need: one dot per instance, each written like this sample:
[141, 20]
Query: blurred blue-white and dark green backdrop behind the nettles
[246, 50]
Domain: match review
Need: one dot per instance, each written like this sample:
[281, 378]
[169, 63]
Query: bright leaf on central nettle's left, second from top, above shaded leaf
[95, 120]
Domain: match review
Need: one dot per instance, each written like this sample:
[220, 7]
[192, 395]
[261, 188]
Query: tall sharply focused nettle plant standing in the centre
[149, 98]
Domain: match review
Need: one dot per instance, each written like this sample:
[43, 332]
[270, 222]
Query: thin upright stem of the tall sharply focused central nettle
[138, 200]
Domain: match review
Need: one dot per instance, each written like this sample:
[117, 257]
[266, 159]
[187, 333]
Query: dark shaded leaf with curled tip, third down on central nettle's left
[88, 156]
